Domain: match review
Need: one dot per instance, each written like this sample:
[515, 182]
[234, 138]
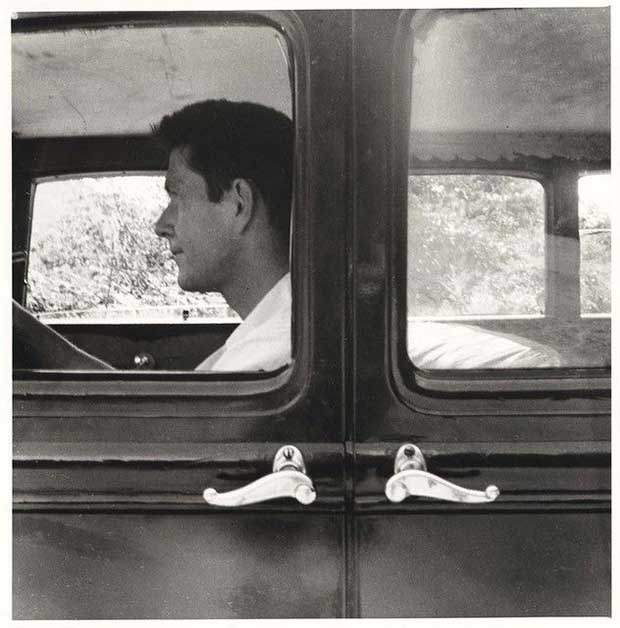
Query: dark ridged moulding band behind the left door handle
[52, 475]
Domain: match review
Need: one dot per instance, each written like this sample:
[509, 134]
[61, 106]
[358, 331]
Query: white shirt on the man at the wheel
[262, 342]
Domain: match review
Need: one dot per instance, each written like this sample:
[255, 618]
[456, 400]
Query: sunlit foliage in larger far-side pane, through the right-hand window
[476, 246]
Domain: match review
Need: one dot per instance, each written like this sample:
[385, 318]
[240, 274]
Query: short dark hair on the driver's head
[229, 140]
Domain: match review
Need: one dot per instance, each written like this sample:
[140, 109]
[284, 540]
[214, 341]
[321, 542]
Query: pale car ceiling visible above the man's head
[121, 79]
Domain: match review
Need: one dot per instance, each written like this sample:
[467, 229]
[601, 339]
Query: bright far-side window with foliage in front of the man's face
[95, 257]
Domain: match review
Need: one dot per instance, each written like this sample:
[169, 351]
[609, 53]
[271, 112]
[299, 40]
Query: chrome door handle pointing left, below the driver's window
[288, 479]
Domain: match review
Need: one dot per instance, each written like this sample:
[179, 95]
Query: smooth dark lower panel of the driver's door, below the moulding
[174, 565]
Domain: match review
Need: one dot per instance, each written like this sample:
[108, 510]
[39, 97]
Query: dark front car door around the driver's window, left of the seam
[110, 468]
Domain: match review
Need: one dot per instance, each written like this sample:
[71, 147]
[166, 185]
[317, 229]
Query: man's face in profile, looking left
[200, 232]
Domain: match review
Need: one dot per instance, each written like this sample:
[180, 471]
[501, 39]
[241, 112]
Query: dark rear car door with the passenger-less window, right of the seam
[541, 436]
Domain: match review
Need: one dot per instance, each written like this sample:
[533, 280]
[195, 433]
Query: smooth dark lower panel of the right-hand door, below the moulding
[483, 563]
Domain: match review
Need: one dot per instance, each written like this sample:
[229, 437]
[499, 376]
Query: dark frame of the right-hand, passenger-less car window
[522, 390]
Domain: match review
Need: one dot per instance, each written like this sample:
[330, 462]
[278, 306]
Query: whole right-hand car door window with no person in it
[507, 265]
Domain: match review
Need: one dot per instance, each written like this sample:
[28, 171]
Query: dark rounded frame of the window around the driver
[280, 388]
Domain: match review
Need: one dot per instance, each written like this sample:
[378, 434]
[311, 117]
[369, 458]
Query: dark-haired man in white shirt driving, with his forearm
[229, 181]
